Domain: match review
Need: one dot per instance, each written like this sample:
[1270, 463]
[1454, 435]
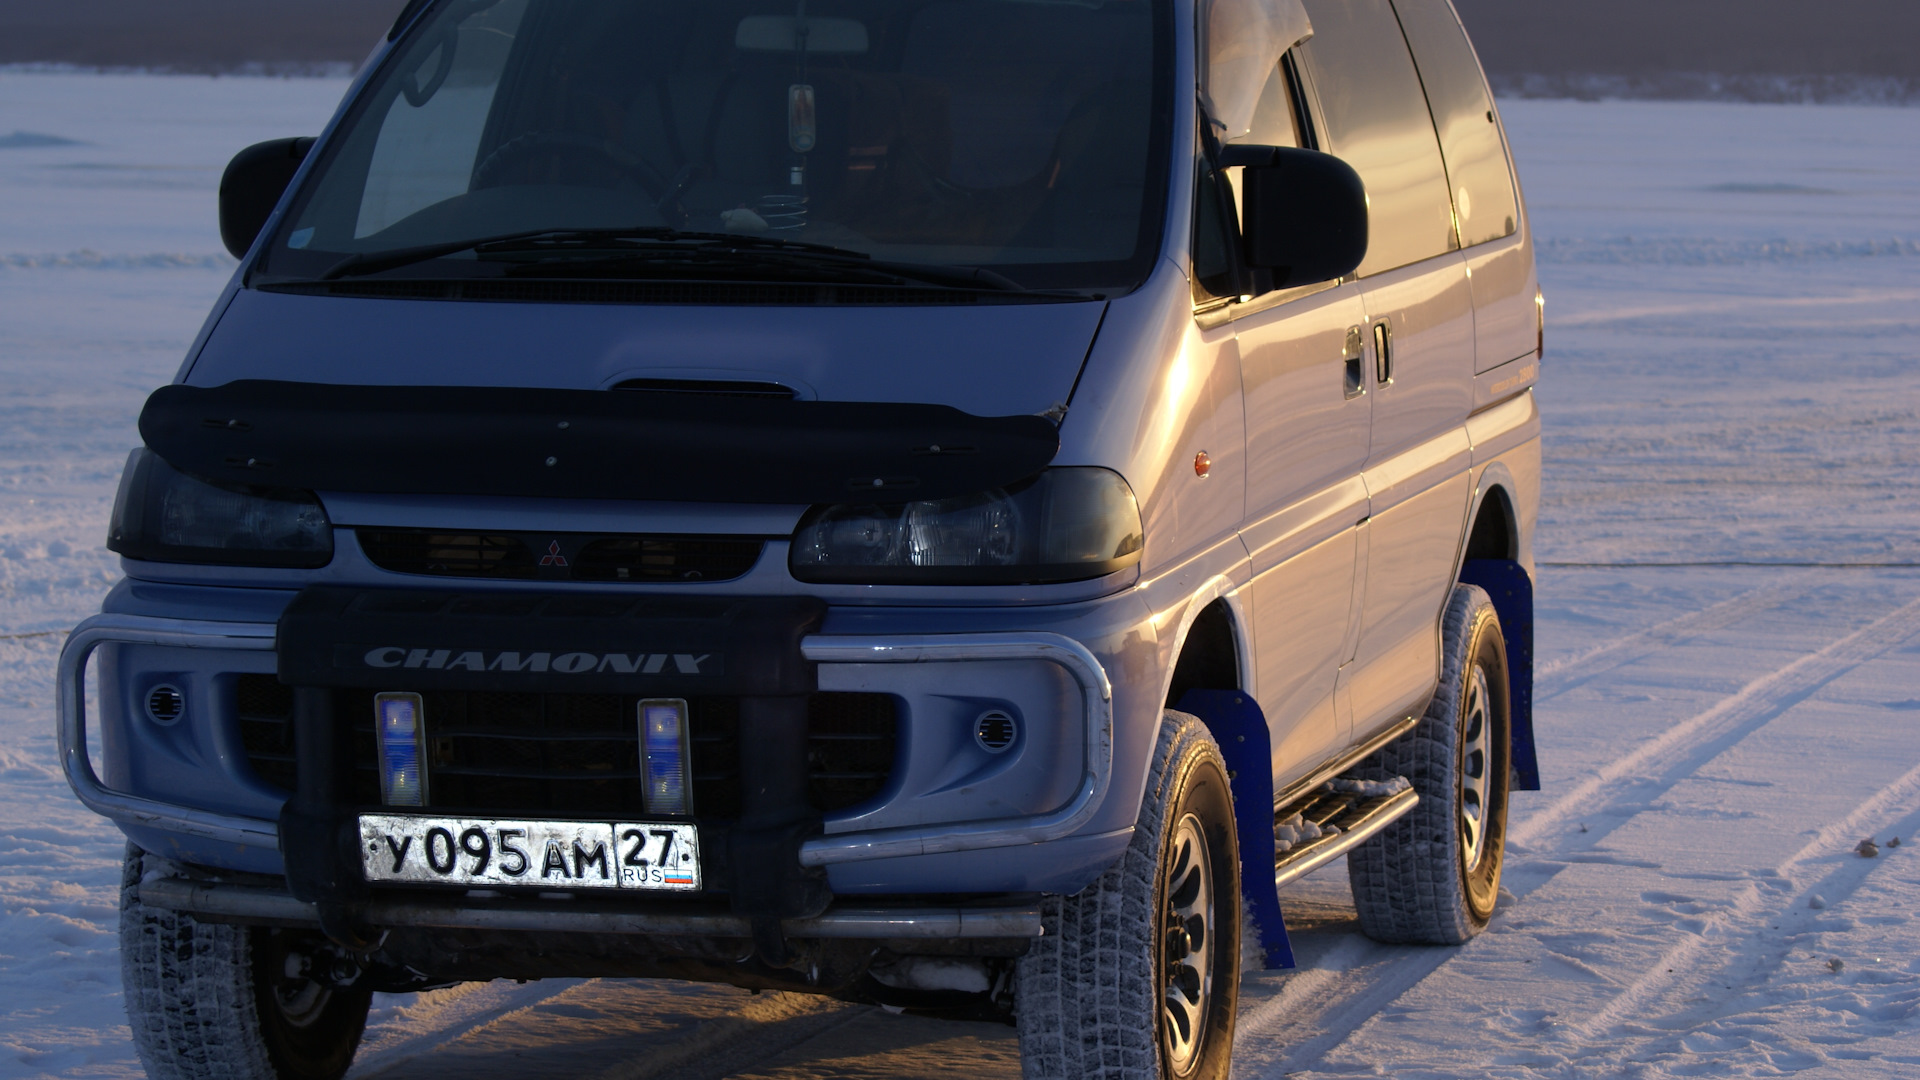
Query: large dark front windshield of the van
[1024, 137]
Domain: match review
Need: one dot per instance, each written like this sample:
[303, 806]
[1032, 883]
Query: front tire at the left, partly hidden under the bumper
[212, 1002]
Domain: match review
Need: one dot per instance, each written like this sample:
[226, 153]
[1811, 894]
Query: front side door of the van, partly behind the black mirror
[1308, 403]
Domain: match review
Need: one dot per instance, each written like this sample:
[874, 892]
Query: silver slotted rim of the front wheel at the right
[1188, 956]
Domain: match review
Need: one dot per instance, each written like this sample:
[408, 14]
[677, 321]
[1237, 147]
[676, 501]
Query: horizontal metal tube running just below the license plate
[867, 923]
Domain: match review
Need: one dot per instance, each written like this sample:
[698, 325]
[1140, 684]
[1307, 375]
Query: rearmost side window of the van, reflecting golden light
[1464, 112]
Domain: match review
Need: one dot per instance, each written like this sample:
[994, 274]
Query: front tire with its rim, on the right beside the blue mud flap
[1140, 975]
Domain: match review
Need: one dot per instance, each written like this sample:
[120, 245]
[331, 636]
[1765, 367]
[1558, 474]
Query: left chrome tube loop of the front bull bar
[82, 777]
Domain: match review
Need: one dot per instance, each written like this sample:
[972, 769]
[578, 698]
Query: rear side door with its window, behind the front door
[1422, 339]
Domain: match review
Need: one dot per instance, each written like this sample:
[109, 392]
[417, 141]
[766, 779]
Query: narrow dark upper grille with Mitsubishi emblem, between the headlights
[567, 556]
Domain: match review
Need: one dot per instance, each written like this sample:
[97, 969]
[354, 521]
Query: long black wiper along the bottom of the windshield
[656, 245]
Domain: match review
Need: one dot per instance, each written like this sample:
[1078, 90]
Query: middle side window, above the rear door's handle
[1378, 122]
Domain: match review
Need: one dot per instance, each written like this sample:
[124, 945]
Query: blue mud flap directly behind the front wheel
[1245, 743]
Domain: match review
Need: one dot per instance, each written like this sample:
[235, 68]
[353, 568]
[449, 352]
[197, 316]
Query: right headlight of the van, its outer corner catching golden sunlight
[1057, 528]
